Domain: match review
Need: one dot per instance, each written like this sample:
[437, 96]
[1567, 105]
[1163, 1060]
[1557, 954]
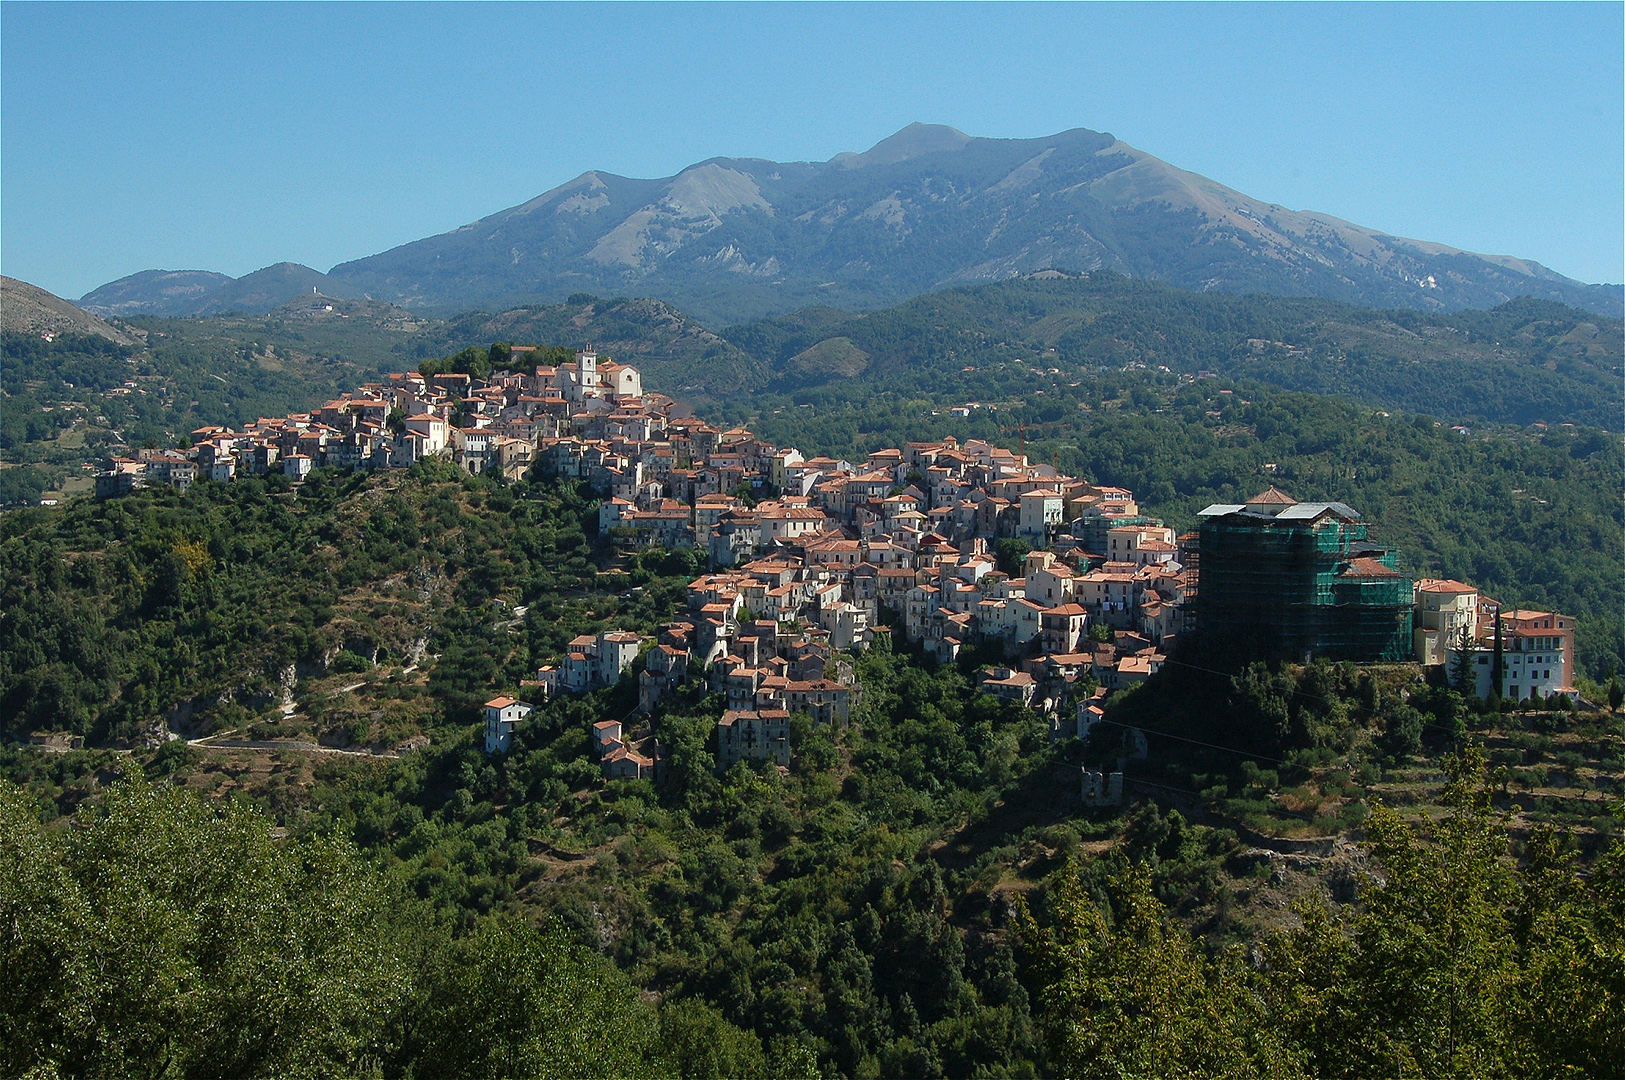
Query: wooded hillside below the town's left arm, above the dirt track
[210, 605]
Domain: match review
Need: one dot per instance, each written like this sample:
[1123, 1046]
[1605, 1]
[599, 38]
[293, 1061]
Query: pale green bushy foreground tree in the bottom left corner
[165, 935]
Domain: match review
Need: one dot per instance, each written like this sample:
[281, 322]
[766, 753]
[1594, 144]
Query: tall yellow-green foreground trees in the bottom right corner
[1462, 964]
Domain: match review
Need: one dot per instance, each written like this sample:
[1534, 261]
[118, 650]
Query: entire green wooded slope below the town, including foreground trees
[922, 892]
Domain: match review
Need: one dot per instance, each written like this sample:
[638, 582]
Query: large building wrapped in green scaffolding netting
[1302, 579]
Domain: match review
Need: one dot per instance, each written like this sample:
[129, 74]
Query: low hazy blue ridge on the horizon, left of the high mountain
[206, 293]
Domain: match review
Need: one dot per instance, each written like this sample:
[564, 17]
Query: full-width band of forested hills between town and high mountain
[1522, 363]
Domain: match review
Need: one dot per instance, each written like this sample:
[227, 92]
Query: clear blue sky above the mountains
[201, 137]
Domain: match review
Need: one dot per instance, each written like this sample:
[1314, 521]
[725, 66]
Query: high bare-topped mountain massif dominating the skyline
[732, 240]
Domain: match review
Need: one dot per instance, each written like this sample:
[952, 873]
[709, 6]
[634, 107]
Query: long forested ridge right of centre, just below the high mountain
[1523, 363]
